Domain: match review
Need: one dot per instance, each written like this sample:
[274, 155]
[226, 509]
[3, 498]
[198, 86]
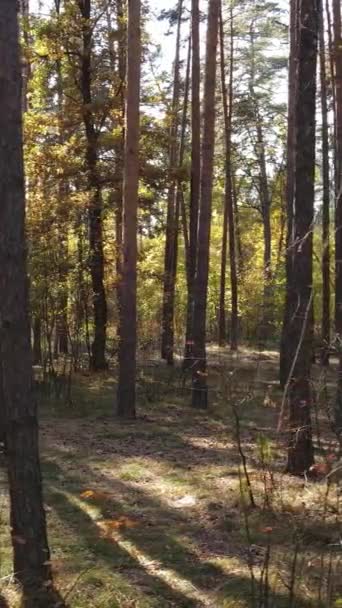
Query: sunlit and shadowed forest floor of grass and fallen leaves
[155, 513]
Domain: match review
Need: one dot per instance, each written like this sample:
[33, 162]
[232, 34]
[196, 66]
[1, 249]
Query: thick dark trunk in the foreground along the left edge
[31, 555]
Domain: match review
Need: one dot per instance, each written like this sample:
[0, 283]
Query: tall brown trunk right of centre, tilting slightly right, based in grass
[199, 368]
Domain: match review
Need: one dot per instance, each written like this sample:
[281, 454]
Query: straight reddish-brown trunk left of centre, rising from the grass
[126, 395]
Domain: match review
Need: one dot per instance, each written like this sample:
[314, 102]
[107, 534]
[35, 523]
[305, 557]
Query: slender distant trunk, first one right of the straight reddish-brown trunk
[167, 339]
